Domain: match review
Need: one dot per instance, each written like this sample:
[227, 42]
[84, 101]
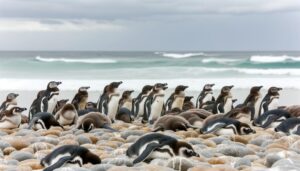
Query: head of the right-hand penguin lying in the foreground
[184, 149]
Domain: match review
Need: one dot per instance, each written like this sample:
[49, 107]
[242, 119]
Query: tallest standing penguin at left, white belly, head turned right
[46, 100]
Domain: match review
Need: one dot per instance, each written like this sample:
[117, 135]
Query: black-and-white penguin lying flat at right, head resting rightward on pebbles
[224, 125]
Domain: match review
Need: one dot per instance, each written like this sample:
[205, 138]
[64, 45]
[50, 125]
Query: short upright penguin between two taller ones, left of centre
[125, 107]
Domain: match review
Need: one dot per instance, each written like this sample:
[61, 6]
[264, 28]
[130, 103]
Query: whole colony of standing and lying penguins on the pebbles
[177, 113]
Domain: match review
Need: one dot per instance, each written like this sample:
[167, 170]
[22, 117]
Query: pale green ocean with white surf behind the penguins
[31, 71]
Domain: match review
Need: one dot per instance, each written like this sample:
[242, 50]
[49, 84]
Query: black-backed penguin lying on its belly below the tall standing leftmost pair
[43, 120]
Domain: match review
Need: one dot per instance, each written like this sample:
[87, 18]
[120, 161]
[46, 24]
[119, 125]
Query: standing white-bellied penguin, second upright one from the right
[253, 101]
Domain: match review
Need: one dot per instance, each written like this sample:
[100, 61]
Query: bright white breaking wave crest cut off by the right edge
[273, 59]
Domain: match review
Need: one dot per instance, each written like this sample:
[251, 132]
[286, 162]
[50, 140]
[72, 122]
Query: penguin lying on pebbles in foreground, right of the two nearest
[156, 145]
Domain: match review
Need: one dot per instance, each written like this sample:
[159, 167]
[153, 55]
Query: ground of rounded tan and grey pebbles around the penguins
[22, 149]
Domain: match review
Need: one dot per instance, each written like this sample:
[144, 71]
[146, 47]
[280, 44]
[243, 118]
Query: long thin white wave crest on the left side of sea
[75, 60]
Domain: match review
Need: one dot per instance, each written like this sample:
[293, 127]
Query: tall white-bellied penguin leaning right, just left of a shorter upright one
[109, 100]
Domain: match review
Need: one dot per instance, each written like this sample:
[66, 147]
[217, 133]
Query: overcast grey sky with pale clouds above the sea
[150, 25]
